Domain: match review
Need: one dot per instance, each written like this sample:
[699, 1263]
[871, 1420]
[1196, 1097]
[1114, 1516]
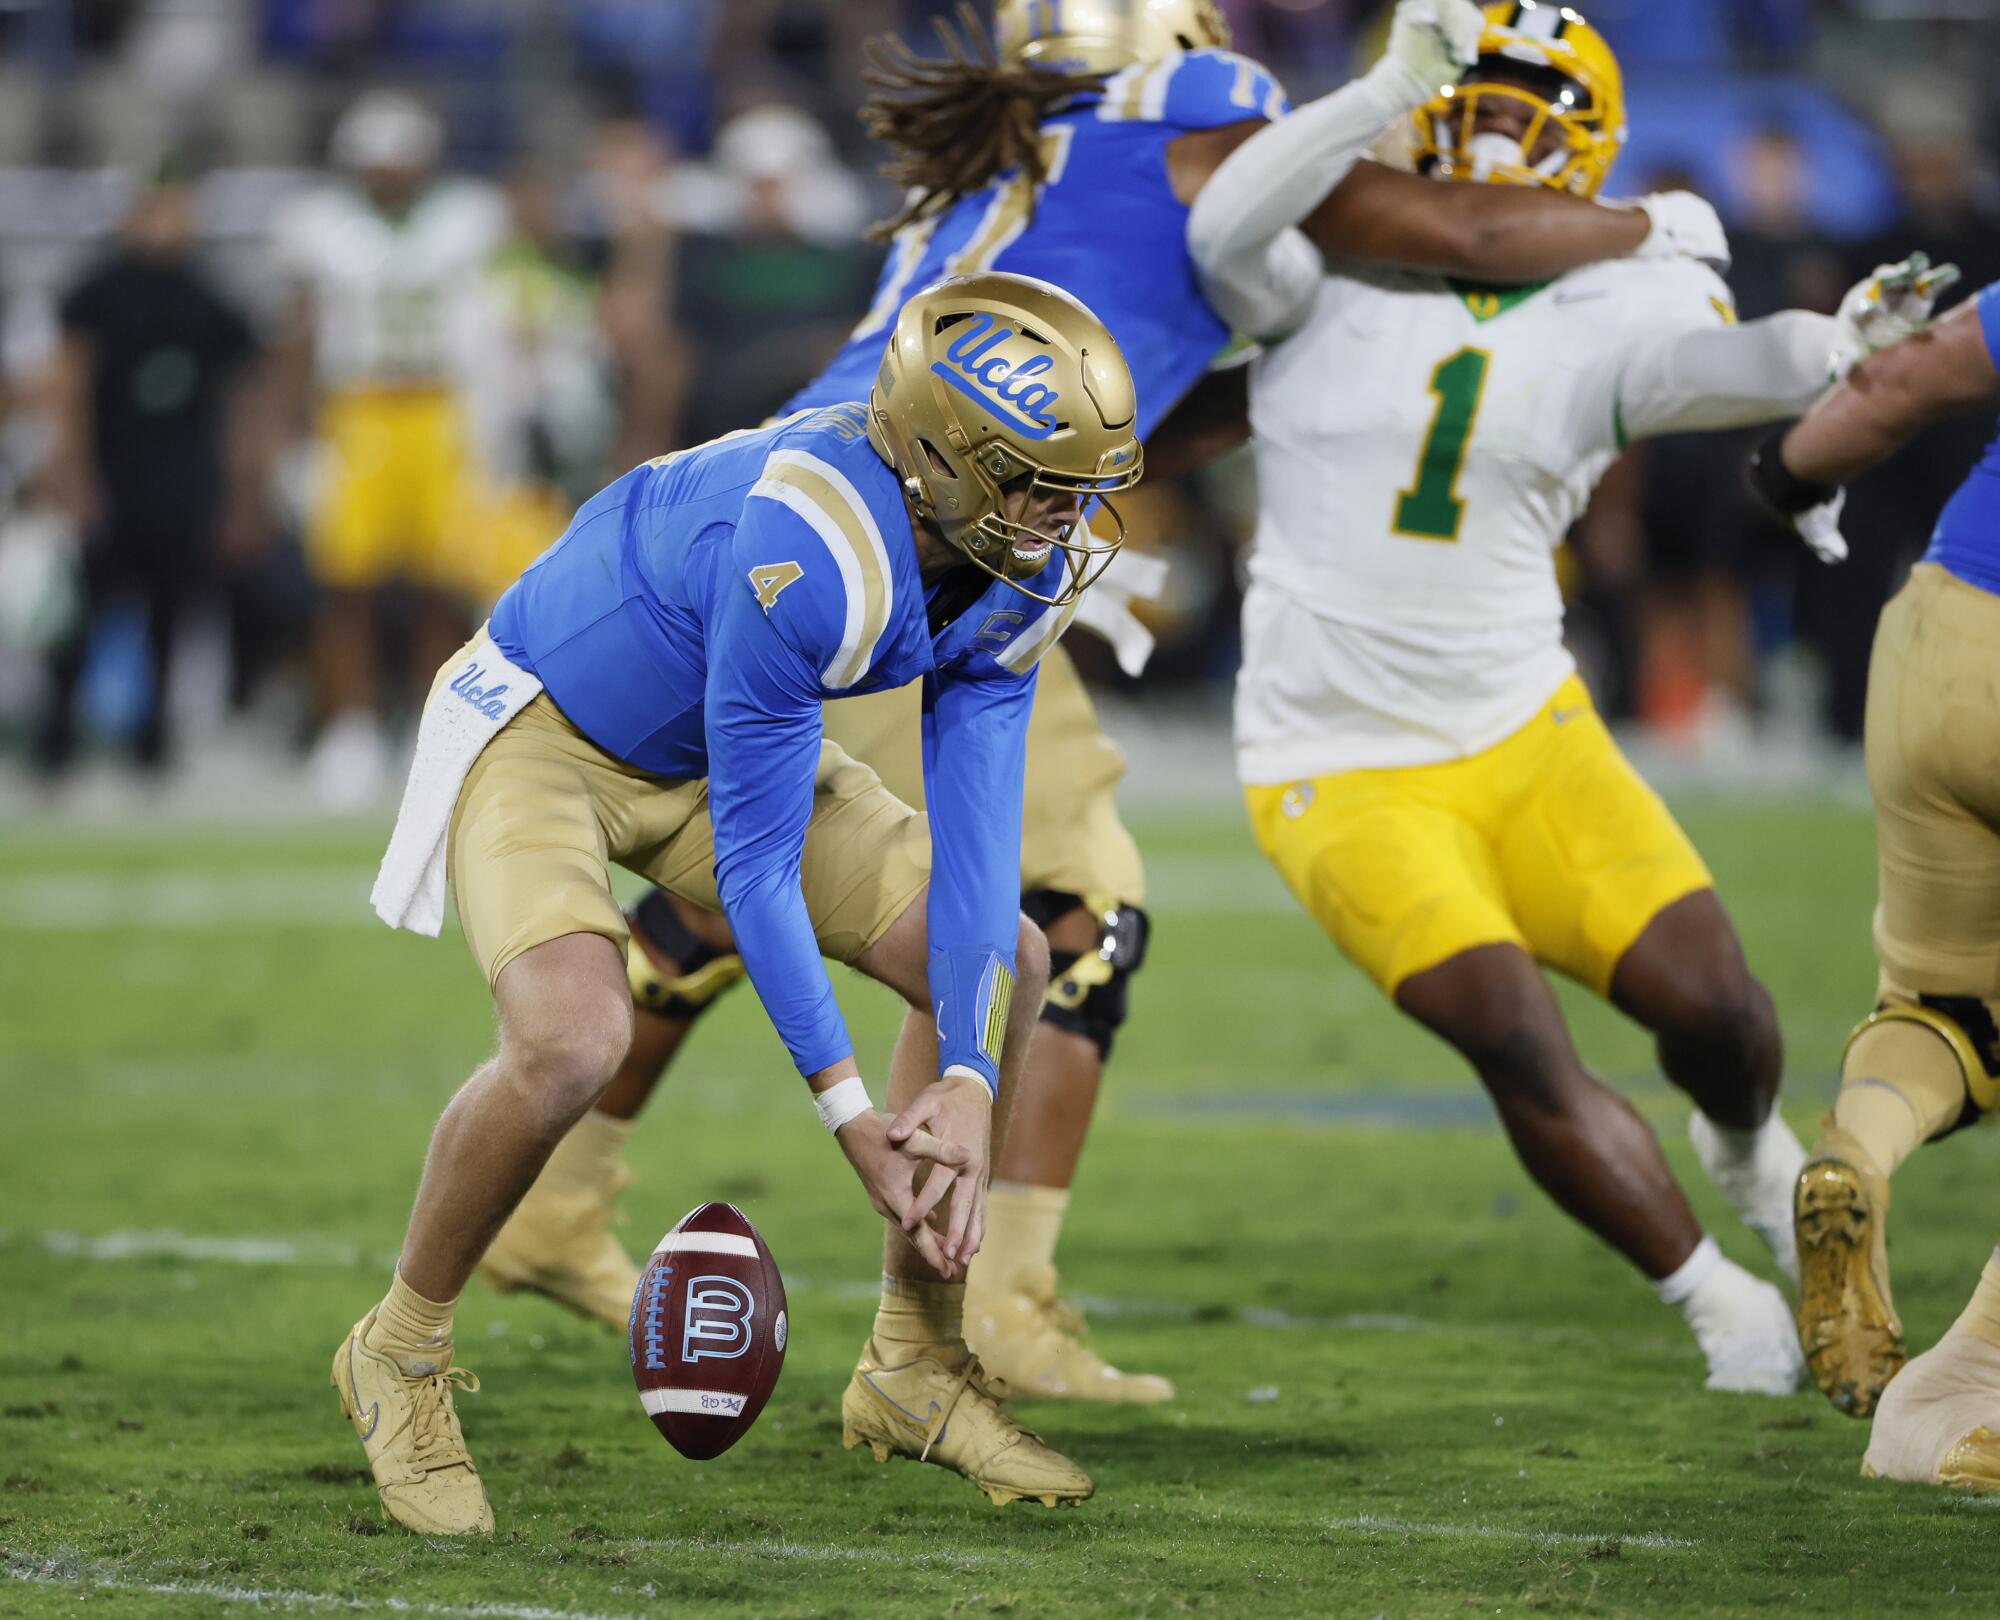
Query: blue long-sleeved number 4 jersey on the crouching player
[697, 615]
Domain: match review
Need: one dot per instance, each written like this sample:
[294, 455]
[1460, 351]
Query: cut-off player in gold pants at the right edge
[1927, 1061]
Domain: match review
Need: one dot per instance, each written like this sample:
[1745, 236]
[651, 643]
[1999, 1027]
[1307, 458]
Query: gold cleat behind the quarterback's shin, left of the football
[559, 1243]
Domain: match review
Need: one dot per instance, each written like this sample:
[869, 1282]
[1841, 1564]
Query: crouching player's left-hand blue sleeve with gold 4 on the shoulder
[777, 621]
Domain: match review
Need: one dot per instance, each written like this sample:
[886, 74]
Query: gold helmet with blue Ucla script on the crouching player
[997, 397]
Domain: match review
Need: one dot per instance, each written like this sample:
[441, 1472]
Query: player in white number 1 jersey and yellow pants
[1421, 759]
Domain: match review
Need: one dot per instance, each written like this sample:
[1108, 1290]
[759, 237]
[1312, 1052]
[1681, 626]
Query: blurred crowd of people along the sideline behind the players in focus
[249, 503]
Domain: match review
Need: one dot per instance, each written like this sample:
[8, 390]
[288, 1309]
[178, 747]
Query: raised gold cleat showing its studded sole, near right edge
[1847, 1321]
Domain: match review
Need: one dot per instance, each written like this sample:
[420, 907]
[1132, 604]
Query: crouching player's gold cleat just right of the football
[949, 1415]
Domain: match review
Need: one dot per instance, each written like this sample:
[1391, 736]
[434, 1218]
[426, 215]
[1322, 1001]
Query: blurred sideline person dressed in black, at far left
[157, 455]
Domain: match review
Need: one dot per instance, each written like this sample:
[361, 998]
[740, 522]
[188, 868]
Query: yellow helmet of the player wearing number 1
[1561, 69]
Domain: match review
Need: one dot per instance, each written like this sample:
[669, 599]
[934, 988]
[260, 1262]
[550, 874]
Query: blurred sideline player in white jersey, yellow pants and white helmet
[377, 353]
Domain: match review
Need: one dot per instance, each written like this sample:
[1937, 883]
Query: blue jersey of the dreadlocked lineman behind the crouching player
[1107, 229]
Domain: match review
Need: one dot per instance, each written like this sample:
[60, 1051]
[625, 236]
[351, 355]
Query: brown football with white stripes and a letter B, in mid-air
[709, 1331]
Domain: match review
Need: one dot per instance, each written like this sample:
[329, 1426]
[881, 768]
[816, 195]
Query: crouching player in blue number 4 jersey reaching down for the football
[649, 693]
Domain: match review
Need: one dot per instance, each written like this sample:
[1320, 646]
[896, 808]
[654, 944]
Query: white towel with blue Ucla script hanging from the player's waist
[461, 719]
